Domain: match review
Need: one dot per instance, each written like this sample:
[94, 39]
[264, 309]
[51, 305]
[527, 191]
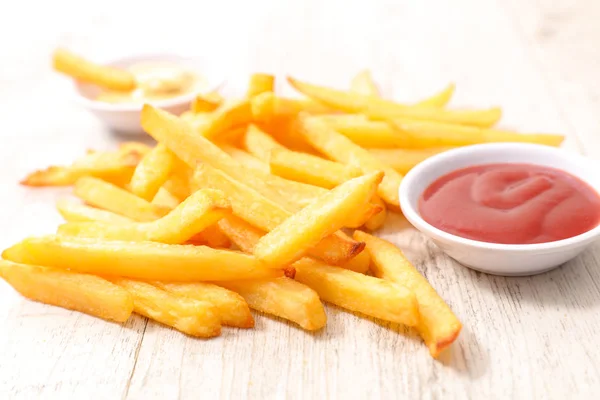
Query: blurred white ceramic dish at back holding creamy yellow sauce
[125, 118]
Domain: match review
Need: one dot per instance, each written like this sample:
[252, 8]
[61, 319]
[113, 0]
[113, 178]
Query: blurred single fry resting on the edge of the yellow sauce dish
[86, 71]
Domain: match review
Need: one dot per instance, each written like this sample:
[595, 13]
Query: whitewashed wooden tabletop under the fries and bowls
[534, 337]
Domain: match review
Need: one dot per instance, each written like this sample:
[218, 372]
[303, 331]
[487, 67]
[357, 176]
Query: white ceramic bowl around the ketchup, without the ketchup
[492, 258]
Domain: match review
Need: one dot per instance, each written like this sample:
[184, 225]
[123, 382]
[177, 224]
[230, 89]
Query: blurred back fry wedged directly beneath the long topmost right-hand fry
[366, 133]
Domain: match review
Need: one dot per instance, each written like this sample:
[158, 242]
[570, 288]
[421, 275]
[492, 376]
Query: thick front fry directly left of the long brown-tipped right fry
[357, 292]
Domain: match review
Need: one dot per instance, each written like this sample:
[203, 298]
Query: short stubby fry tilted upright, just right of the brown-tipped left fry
[152, 172]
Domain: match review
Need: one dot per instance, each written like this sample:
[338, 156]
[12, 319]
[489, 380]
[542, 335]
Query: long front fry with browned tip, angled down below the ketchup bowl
[438, 325]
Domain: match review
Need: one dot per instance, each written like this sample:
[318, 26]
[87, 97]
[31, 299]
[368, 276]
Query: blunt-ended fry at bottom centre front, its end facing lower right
[284, 298]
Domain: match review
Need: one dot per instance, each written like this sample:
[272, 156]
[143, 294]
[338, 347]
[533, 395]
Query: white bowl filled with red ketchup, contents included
[506, 208]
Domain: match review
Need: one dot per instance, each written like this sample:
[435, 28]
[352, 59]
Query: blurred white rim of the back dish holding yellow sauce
[84, 93]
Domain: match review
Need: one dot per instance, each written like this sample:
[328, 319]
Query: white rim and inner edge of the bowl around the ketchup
[425, 173]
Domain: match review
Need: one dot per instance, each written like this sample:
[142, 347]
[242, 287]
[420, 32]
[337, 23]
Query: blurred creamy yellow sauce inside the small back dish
[156, 81]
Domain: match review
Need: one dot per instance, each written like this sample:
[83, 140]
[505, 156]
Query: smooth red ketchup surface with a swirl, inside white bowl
[511, 204]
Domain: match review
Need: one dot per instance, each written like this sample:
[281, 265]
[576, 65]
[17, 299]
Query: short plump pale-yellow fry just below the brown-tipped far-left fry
[104, 195]
